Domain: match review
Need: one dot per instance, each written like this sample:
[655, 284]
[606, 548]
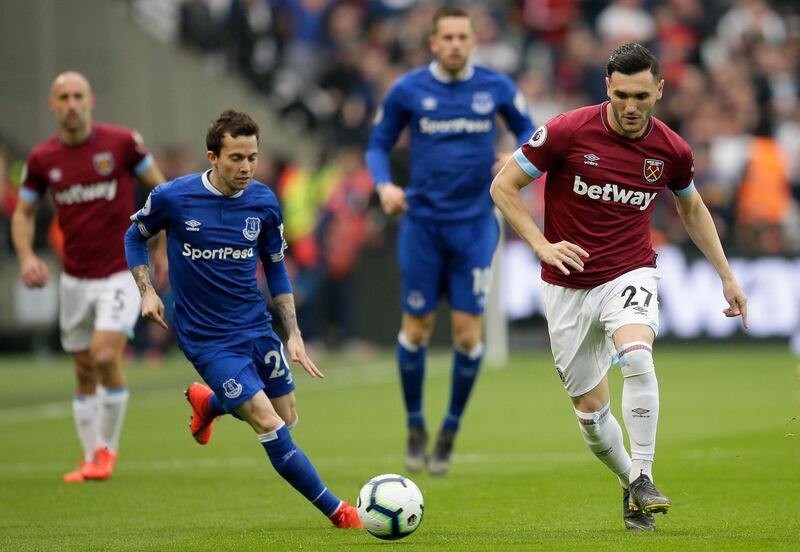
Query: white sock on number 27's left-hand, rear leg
[602, 433]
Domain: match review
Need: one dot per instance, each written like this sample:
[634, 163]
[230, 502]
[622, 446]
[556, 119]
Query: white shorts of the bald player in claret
[107, 304]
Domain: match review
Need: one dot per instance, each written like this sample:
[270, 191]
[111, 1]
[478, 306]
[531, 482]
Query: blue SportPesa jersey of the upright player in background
[452, 133]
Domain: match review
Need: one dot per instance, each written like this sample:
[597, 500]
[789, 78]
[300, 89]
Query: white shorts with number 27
[582, 323]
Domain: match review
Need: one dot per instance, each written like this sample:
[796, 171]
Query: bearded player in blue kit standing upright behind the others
[448, 234]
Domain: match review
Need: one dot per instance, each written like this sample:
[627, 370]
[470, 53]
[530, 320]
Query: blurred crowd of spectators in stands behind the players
[732, 71]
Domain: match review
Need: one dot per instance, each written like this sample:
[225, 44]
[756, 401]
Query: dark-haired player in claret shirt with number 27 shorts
[605, 165]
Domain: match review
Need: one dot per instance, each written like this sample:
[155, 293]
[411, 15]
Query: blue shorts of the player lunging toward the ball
[237, 373]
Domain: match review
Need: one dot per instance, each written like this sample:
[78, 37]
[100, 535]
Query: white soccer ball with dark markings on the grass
[390, 506]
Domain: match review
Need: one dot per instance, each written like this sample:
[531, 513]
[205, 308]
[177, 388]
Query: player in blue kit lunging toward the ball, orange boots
[218, 226]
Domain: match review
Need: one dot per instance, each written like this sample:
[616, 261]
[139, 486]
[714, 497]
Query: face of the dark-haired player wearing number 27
[633, 98]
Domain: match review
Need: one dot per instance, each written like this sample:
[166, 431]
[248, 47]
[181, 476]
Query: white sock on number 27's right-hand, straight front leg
[640, 413]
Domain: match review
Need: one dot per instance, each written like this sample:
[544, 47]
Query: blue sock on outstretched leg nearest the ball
[295, 467]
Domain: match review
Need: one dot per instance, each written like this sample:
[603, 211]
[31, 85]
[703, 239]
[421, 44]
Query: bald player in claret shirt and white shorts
[90, 170]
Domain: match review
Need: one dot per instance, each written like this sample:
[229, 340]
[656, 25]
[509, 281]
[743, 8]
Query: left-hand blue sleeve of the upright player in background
[389, 121]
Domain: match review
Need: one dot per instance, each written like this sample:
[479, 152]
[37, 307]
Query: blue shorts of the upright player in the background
[446, 257]
